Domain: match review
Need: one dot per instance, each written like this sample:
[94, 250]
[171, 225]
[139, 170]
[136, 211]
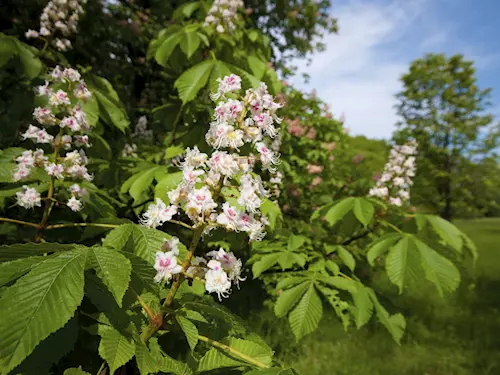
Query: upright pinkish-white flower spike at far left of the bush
[70, 122]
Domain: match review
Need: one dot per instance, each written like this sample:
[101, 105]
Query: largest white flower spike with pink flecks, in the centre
[236, 123]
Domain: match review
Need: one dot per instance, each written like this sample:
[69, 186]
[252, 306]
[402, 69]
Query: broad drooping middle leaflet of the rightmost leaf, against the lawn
[438, 270]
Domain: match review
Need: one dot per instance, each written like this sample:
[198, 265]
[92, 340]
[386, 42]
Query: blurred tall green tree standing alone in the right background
[443, 108]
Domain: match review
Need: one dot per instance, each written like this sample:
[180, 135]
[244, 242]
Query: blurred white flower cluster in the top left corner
[59, 19]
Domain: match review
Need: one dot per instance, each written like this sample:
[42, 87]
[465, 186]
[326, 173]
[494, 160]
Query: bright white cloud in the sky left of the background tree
[359, 72]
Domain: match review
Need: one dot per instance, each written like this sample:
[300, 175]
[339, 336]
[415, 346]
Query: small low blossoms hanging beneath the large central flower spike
[219, 272]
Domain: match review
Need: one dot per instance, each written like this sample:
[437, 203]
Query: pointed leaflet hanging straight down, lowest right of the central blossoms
[305, 318]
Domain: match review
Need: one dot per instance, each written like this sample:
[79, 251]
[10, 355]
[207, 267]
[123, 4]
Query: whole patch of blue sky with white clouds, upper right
[359, 72]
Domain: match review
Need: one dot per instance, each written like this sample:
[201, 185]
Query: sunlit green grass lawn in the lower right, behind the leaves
[456, 336]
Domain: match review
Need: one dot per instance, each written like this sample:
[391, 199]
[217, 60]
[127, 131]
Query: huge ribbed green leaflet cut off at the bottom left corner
[39, 303]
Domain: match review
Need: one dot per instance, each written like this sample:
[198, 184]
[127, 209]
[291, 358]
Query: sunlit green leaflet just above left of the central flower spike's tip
[193, 80]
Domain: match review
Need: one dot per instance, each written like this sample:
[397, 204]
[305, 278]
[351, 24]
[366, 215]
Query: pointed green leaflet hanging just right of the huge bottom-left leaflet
[114, 270]
